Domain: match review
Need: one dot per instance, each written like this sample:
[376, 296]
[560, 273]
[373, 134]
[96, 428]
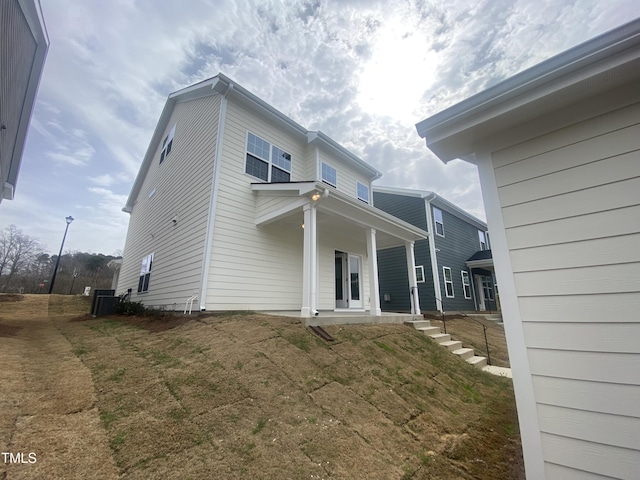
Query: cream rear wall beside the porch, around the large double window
[253, 268]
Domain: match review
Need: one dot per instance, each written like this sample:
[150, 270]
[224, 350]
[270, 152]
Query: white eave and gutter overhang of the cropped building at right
[604, 63]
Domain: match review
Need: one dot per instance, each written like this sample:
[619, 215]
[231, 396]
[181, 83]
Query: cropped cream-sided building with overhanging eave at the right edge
[558, 152]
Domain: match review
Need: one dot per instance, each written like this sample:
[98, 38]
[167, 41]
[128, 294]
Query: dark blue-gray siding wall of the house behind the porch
[460, 242]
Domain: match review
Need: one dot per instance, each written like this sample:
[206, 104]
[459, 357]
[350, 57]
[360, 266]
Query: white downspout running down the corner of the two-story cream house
[213, 200]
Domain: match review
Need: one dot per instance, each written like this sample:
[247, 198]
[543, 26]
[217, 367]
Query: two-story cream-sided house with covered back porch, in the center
[238, 205]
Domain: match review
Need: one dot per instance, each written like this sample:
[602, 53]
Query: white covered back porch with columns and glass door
[341, 236]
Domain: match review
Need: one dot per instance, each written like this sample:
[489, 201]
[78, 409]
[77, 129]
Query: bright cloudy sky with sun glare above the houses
[362, 71]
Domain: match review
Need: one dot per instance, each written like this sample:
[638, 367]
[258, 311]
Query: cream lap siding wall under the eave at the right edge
[570, 203]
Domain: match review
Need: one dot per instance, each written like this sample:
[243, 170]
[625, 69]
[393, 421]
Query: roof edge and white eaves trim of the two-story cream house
[223, 85]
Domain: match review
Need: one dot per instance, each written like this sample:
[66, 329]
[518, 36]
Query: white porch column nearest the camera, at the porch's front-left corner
[309, 265]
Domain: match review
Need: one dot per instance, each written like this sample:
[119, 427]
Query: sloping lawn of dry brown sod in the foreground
[242, 395]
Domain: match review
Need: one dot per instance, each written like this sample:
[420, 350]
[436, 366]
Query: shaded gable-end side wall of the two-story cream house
[182, 186]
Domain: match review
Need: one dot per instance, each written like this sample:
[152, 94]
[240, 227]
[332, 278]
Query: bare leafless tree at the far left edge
[17, 252]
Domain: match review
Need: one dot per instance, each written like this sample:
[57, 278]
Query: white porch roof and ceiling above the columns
[337, 213]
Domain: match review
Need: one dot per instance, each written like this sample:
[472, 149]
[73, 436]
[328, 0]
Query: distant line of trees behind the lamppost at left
[25, 267]
